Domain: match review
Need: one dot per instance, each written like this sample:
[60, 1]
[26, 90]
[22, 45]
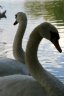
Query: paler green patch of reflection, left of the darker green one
[34, 8]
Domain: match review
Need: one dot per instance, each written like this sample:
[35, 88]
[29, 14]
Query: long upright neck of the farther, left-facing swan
[17, 45]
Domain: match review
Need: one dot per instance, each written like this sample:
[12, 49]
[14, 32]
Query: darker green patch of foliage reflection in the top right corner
[55, 10]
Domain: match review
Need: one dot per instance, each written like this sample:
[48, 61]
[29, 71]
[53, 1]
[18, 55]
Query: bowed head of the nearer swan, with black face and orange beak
[51, 33]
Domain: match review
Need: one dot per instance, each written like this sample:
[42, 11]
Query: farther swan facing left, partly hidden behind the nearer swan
[10, 66]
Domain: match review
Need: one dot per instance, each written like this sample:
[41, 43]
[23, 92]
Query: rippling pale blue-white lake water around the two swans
[37, 12]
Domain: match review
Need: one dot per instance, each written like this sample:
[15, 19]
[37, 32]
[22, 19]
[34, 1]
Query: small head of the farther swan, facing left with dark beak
[20, 17]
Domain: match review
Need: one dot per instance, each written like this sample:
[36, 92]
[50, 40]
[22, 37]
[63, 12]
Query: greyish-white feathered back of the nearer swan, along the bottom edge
[20, 85]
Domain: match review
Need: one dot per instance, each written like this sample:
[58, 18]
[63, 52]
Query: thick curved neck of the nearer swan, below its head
[48, 81]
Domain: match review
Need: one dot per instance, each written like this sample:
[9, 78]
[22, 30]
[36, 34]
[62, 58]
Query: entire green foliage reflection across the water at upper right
[51, 10]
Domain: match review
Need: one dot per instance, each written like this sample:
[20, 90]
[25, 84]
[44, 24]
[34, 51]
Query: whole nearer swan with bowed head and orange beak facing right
[24, 85]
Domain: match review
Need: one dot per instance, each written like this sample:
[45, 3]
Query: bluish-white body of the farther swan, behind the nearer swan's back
[9, 66]
